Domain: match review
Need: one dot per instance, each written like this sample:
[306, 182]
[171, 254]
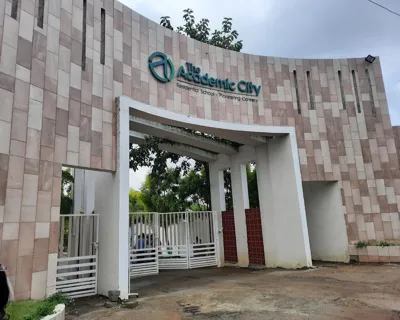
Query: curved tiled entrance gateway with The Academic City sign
[78, 85]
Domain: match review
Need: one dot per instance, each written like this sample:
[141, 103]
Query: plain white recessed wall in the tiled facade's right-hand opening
[325, 220]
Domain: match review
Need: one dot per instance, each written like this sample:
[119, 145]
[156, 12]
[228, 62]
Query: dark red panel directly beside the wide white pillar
[254, 237]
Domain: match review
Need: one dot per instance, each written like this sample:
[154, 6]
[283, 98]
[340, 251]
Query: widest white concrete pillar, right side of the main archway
[284, 224]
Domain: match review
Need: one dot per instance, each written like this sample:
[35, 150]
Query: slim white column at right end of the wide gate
[218, 205]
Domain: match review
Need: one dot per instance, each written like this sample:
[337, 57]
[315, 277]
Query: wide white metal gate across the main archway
[173, 240]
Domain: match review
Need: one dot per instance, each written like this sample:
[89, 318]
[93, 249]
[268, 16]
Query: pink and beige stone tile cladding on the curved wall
[54, 113]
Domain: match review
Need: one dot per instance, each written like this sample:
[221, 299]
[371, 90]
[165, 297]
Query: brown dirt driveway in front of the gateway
[330, 292]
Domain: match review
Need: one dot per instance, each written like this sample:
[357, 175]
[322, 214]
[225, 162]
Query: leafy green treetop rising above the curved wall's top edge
[224, 38]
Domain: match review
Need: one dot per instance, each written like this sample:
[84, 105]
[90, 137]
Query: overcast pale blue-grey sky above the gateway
[299, 29]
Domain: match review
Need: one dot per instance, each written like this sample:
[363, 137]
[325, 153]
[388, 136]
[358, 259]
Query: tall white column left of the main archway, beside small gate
[112, 204]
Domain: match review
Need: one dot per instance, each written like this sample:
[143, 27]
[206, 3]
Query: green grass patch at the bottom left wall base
[36, 310]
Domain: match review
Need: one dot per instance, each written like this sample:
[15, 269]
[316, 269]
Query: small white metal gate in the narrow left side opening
[78, 255]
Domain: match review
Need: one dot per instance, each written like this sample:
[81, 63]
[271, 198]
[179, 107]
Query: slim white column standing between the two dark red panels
[240, 199]
